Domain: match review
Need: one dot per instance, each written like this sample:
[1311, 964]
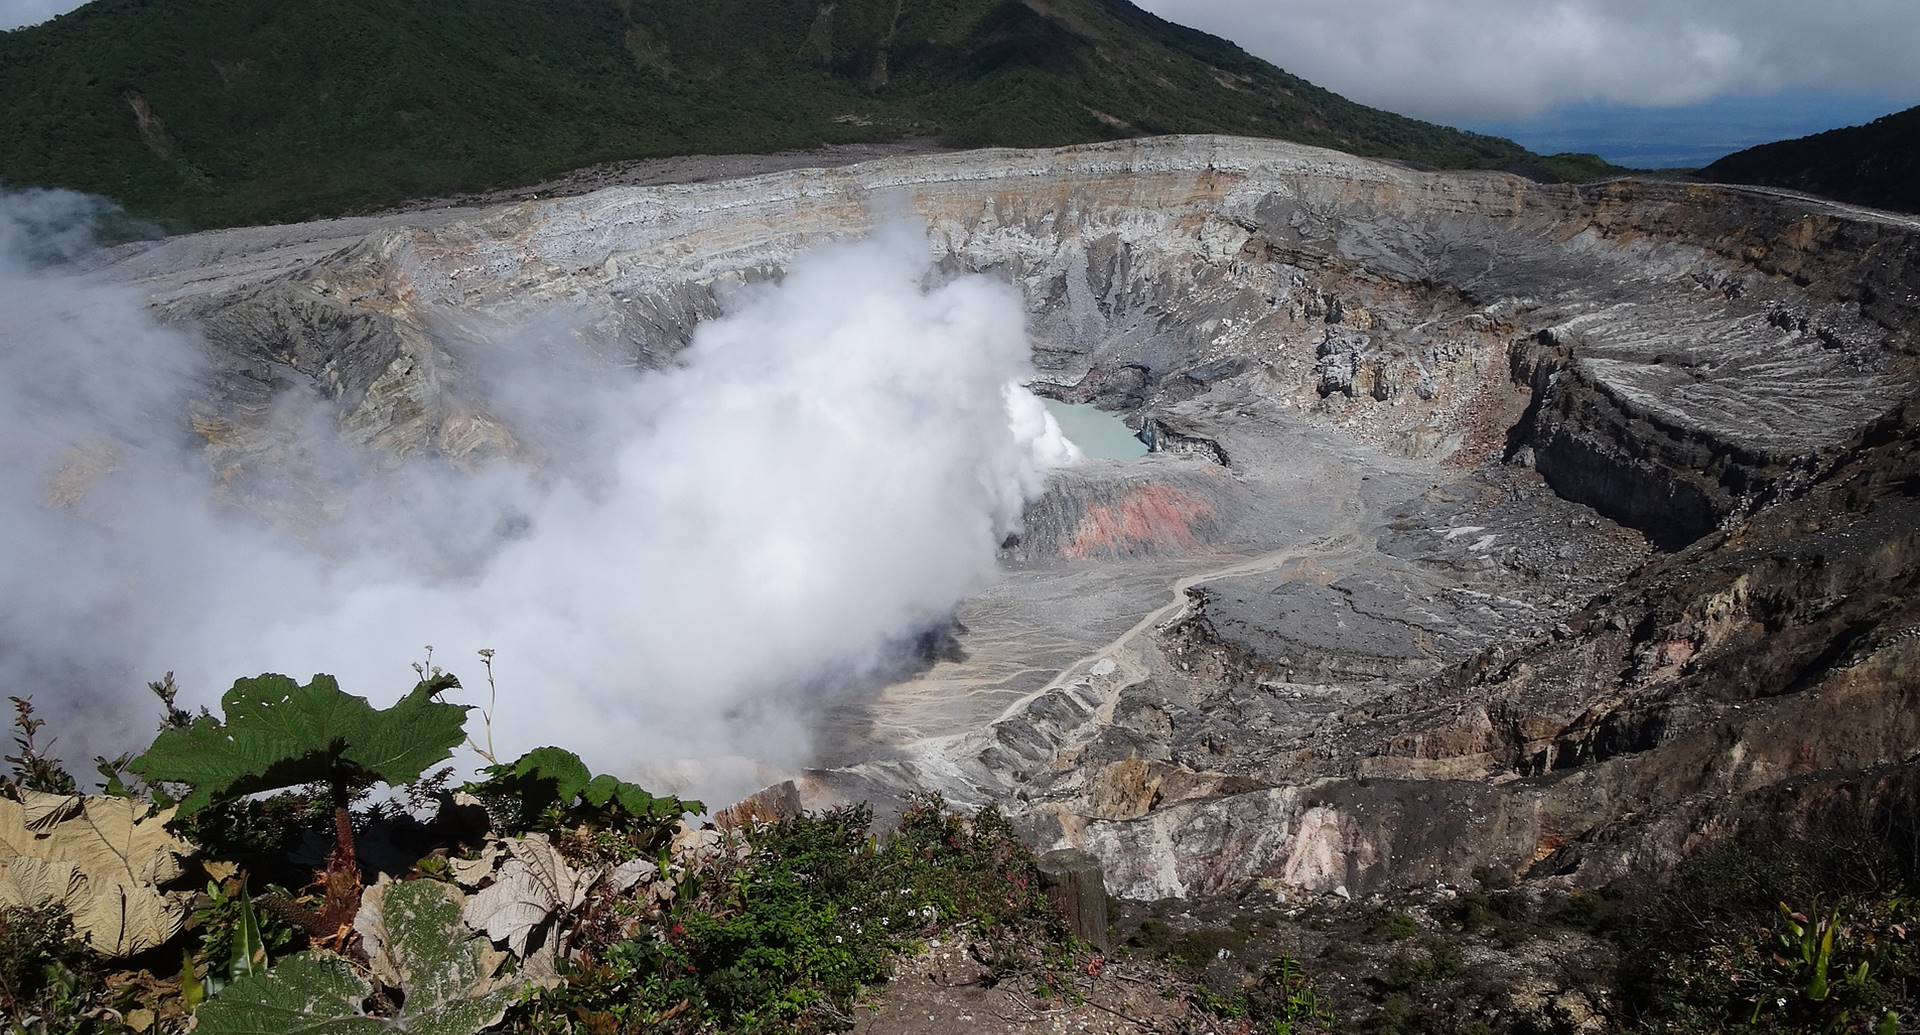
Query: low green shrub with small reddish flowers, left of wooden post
[819, 909]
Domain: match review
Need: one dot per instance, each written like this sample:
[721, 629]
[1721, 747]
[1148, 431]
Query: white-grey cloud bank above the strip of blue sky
[1468, 60]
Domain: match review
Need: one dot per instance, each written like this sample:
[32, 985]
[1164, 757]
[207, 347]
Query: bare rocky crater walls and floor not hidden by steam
[1414, 435]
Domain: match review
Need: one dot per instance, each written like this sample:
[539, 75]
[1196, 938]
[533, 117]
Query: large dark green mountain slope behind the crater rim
[218, 112]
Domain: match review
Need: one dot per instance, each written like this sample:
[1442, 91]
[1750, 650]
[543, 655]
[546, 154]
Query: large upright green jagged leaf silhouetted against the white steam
[281, 734]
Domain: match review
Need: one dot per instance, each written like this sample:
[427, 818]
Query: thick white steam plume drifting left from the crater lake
[821, 477]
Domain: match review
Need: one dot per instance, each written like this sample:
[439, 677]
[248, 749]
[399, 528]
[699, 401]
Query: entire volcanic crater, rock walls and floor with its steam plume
[1445, 489]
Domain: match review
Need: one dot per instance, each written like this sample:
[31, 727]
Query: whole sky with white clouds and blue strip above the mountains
[1639, 82]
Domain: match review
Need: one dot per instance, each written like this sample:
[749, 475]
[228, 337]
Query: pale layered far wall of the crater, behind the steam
[1685, 349]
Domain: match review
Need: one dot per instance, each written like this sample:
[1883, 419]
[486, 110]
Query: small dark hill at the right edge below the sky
[1877, 164]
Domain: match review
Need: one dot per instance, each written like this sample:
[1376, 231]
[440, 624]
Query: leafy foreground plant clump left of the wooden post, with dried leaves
[777, 928]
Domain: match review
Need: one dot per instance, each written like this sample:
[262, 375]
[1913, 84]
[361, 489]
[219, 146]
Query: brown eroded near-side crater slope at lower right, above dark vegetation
[1760, 679]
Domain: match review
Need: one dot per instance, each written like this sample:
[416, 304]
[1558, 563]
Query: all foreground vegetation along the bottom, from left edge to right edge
[784, 927]
